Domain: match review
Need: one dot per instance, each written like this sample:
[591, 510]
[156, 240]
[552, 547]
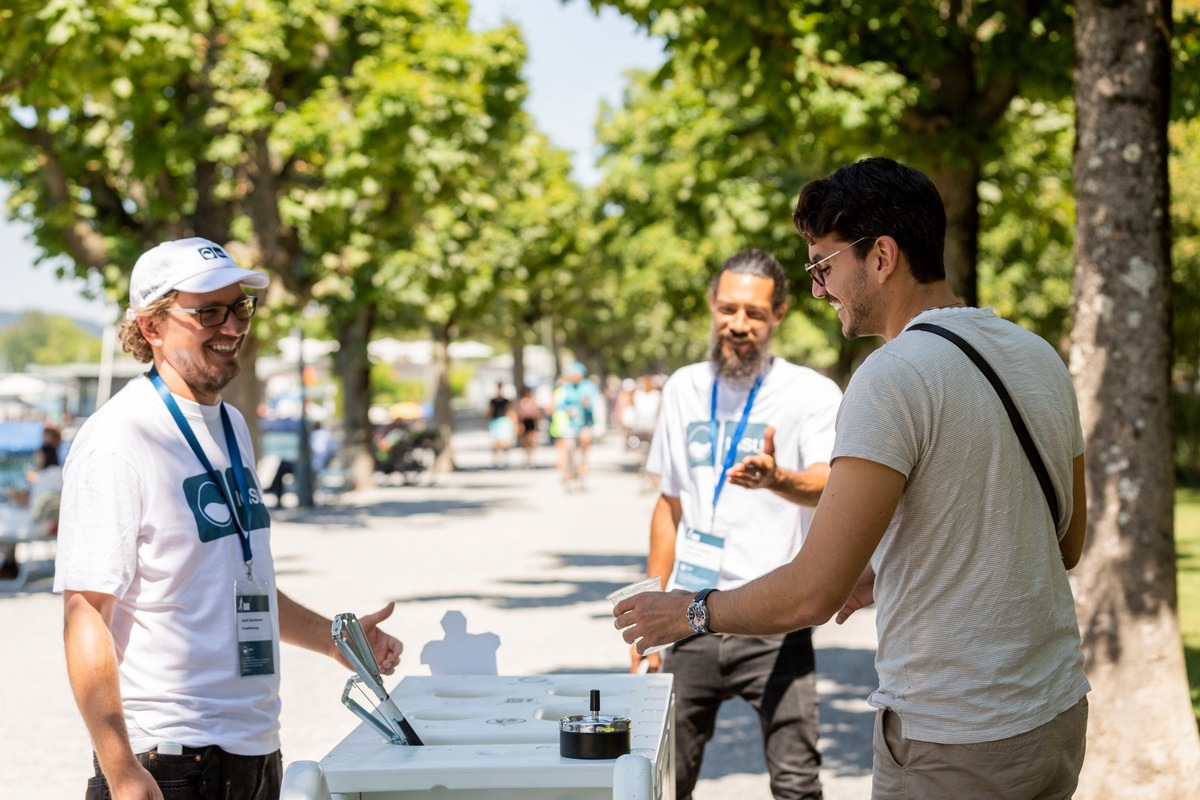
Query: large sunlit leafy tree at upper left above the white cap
[322, 140]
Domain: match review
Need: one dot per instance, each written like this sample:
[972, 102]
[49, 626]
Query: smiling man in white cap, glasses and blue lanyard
[172, 617]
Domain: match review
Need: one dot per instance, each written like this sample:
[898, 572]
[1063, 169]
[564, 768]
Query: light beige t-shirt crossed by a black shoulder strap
[977, 631]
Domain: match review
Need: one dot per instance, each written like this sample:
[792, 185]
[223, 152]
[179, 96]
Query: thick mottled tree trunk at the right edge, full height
[1143, 737]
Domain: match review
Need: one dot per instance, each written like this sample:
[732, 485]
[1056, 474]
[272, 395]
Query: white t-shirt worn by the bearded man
[761, 531]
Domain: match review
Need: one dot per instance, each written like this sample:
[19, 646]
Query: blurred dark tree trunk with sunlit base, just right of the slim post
[355, 370]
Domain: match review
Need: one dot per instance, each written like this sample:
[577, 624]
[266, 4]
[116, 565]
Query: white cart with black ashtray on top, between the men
[496, 738]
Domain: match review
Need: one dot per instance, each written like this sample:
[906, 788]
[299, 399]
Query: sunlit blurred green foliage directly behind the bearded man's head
[691, 177]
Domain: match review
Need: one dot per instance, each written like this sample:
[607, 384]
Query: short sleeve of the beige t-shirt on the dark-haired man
[885, 416]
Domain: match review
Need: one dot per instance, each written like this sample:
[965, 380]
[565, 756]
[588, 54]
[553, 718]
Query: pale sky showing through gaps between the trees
[575, 61]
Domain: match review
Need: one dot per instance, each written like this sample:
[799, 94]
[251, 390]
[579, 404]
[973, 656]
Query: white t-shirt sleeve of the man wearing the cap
[99, 525]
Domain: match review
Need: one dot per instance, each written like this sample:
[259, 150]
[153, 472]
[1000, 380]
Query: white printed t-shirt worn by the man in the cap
[142, 521]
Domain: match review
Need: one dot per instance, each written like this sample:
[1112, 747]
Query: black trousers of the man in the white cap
[206, 774]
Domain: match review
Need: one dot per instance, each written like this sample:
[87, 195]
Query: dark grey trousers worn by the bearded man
[777, 676]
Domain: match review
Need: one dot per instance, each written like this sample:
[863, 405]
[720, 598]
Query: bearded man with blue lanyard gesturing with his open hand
[741, 422]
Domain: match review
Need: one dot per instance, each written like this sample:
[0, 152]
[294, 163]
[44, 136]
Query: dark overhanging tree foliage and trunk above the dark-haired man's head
[925, 82]
